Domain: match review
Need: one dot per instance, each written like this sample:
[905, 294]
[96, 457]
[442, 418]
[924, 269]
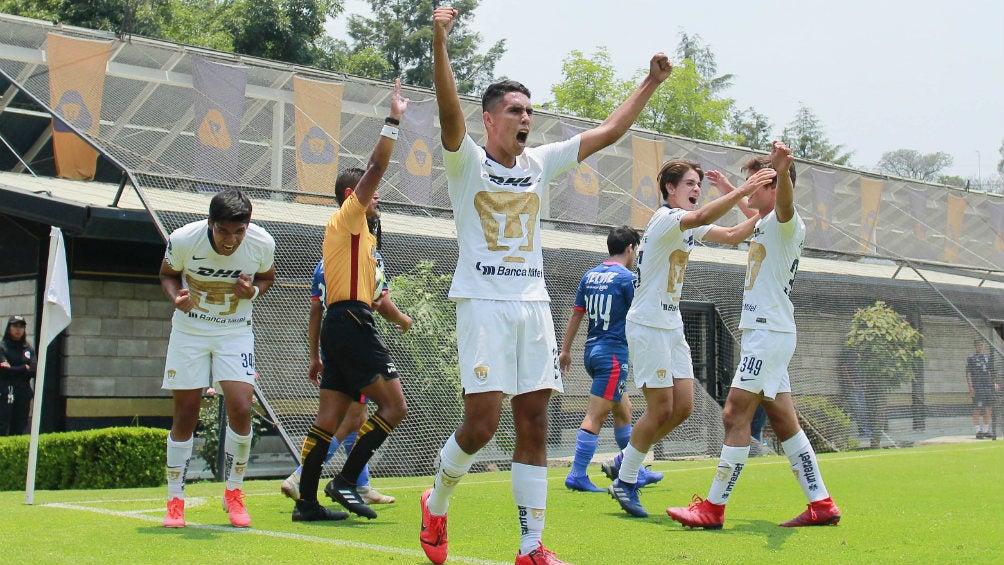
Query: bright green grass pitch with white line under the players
[940, 504]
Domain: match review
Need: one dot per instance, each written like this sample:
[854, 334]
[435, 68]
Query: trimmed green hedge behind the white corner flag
[113, 458]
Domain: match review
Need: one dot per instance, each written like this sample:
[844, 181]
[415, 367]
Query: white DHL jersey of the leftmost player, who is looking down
[210, 277]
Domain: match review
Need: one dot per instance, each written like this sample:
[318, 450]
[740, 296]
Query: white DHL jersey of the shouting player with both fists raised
[497, 213]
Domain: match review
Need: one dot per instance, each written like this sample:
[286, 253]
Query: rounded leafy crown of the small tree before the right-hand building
[887, 346]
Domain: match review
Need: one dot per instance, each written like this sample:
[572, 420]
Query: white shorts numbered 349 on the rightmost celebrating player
[764, 362]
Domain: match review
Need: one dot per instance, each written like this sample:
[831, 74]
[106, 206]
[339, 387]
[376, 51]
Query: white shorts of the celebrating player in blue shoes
[658, 356]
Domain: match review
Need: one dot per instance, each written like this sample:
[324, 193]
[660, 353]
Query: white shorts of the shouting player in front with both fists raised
[508, 346]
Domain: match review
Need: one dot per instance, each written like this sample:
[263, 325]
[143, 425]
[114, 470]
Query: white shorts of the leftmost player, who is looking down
[197, 362]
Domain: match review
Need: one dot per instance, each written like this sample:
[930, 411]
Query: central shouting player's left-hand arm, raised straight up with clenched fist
[452, 124]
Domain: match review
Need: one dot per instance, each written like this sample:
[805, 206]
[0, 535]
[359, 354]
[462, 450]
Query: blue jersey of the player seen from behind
[605, 295]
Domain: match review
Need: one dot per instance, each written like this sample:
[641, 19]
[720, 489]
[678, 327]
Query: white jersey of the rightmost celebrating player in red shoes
[771, 272]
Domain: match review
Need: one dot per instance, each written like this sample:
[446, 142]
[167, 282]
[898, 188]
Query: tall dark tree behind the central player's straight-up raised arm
[401, 32]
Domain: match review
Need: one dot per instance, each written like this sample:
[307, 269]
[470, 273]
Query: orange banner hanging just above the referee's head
[318, 115]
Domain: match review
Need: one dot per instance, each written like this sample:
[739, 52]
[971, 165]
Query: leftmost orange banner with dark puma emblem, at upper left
[77, 82]
